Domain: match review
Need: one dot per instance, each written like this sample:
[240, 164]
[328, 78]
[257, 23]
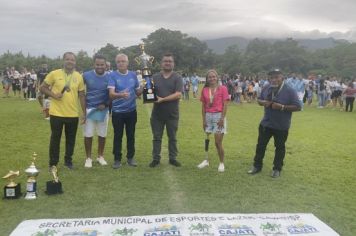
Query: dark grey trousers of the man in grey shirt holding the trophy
[157, 127]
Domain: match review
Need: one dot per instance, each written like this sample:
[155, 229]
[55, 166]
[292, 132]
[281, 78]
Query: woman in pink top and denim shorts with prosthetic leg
[214, 98]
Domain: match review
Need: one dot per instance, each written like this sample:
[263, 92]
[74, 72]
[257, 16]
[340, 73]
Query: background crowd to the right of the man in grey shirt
[323, 91]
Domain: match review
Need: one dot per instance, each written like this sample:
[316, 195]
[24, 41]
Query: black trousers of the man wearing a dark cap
[280, 138]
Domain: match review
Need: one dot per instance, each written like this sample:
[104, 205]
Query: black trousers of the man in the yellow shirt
[70, 130]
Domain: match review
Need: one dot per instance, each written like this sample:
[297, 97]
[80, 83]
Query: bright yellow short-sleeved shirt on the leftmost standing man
[67, 106]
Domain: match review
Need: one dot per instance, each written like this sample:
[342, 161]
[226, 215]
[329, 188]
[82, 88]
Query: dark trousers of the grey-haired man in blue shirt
[121, 121]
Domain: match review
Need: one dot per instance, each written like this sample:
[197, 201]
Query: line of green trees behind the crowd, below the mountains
[192, 55]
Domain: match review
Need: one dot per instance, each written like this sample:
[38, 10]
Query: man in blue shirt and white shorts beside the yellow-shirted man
[97, 102]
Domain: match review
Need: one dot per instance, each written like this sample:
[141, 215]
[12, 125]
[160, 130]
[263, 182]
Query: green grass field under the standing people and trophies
[319, 174]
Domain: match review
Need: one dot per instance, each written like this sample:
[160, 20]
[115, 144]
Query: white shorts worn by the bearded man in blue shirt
[91, 126]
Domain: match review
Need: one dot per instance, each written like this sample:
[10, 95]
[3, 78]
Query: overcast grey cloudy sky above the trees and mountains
[51, 27]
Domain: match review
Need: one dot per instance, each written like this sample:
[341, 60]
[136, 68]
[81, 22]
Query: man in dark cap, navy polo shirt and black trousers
[279, 101]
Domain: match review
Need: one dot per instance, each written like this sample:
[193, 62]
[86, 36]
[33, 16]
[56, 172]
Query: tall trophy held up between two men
[144, 60]
